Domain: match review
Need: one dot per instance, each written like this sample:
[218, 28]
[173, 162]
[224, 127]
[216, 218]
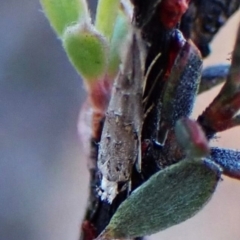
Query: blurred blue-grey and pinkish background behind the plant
[43, 178]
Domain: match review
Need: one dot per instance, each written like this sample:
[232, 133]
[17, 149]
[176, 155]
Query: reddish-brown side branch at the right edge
[222, 112]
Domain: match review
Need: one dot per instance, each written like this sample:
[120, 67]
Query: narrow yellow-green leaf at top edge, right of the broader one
[107, 11]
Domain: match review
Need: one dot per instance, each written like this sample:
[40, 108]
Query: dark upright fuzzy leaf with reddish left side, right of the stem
[182, 84]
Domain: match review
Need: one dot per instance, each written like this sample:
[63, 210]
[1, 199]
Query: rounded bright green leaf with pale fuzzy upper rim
[87, 50]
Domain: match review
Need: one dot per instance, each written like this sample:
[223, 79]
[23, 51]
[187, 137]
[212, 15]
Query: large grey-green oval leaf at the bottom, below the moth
[169, 197]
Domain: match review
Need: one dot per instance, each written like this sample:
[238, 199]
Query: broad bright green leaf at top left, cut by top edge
[62, 13]
